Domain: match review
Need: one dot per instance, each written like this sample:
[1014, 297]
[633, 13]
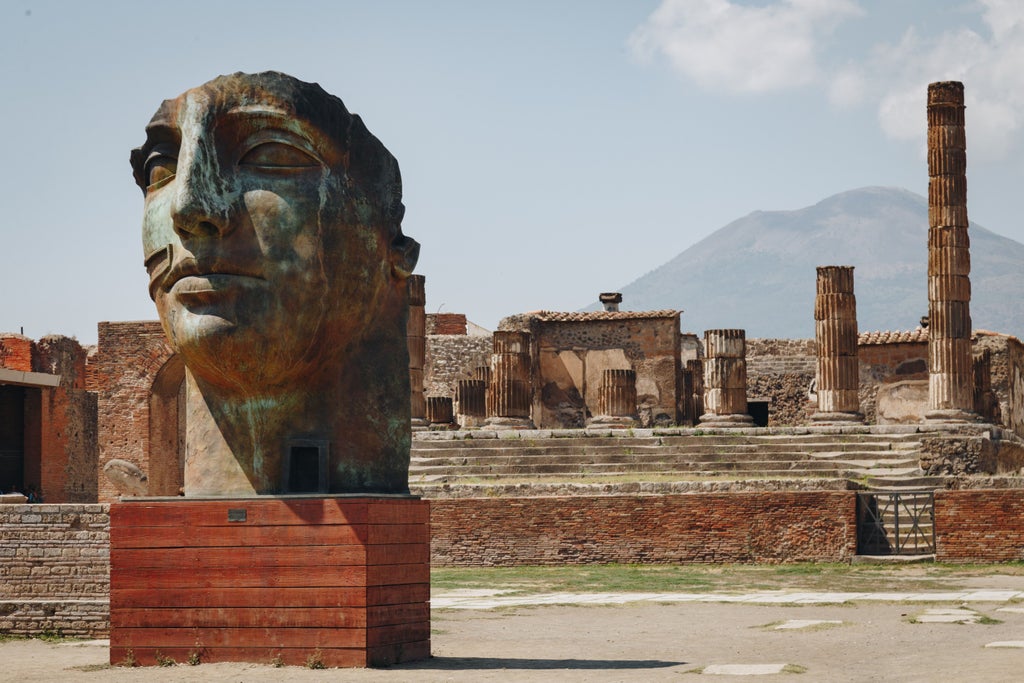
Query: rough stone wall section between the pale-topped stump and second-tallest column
[781, 371]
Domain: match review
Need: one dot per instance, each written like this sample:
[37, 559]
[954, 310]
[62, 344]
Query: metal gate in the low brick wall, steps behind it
[895, 523]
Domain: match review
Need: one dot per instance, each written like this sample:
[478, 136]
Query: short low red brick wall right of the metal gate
[985, 526]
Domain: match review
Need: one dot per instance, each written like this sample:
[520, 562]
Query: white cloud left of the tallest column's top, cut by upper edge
[729, 48]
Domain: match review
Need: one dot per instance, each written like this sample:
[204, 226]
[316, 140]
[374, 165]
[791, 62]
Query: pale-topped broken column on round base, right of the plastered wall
[726, 379]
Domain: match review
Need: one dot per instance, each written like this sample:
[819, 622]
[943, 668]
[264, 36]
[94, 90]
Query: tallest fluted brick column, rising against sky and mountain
[951, 370]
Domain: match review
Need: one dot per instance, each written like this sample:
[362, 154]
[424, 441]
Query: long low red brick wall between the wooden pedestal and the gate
[785, 527]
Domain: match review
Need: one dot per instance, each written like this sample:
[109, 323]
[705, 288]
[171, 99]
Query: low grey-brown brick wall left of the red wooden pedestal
[55, 570]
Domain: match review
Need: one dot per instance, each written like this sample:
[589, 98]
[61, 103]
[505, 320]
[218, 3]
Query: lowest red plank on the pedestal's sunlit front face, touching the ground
[293, 657]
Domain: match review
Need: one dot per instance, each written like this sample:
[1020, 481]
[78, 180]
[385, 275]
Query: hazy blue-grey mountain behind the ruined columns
[759, 273]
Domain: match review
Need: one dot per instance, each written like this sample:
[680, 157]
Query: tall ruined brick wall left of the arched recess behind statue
[122, 372]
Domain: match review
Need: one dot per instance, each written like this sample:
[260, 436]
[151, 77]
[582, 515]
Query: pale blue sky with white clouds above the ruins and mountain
[550, 150]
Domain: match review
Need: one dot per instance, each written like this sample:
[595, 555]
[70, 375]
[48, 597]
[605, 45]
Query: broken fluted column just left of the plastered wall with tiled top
[510, 398]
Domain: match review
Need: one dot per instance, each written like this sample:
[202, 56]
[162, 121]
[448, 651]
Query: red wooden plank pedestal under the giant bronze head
[346, 581]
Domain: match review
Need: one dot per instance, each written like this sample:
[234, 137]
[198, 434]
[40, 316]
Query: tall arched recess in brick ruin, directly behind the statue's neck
[167, 430]
